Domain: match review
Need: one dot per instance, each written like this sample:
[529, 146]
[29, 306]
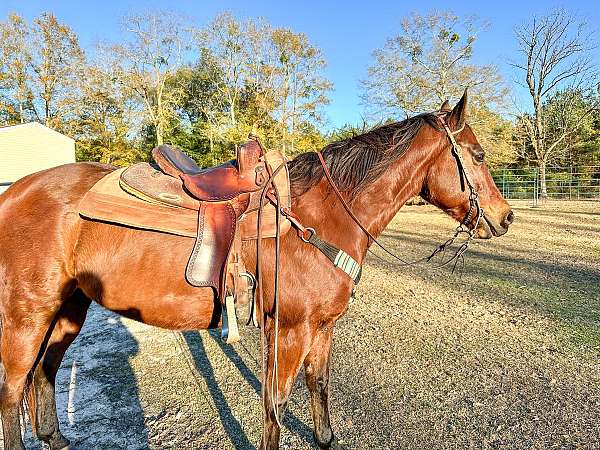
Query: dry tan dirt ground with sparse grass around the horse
[504, 354]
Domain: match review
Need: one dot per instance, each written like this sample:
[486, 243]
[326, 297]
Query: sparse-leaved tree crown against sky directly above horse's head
[429, 62]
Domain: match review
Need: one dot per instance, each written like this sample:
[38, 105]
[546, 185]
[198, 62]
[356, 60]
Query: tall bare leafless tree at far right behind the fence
[555, 55]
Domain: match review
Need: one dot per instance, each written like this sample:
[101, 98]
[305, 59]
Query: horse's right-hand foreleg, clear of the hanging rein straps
[316, 367]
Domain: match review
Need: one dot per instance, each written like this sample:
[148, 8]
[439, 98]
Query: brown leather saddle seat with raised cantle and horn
[243, 175]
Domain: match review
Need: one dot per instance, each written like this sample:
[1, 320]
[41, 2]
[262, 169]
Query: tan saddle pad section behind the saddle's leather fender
[107, 202]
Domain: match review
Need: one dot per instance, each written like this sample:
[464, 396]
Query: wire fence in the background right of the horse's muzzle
[562, 183]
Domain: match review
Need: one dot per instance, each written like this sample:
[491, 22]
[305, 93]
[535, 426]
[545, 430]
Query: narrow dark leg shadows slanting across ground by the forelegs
[232, 426]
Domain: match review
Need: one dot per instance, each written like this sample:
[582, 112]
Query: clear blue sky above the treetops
[346, 31]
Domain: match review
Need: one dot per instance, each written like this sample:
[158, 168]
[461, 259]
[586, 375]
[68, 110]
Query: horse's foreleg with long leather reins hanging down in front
[292, 349]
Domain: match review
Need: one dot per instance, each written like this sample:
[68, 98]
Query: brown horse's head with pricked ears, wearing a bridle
[459, 182]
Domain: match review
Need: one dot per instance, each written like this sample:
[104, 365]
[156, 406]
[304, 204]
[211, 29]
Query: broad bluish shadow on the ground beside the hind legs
[97, 393]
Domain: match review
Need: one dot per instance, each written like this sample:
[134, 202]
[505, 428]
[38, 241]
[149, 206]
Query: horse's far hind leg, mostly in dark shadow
[42, 401]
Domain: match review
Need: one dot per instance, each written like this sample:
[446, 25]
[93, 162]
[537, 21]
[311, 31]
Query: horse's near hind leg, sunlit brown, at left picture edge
[20, 344]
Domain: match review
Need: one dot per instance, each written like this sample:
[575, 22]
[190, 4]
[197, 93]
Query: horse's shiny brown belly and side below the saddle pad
[141, 275]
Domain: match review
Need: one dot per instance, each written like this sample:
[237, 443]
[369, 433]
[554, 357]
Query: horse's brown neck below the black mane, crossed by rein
[374, 207]
